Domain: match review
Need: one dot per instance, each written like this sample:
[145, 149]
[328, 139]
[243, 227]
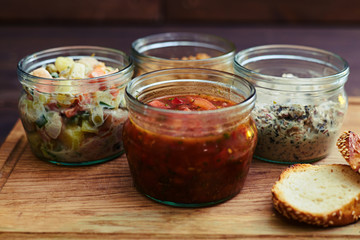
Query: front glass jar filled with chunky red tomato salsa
[189, 138]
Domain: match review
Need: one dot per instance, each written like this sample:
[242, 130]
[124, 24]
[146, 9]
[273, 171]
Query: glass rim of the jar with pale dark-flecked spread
[282, 80]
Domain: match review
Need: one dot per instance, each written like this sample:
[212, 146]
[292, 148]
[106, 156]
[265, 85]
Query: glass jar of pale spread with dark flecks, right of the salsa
[301, 100]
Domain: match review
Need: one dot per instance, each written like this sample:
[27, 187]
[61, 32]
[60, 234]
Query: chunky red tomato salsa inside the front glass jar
[190, 171]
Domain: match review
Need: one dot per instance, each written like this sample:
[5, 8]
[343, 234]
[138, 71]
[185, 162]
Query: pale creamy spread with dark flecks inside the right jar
[291, 133]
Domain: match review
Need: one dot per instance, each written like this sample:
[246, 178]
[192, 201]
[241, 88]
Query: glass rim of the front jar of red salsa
[244, 104]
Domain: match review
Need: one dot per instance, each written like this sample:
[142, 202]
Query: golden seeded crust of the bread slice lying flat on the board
[347, 214]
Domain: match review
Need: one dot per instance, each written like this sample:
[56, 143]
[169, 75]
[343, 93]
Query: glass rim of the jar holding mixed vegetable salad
[50, 51]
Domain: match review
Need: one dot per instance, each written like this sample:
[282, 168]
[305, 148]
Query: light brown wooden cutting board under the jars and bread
[44, 201]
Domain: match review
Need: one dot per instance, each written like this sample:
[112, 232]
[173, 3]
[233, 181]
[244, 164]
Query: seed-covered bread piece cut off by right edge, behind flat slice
[349, 147]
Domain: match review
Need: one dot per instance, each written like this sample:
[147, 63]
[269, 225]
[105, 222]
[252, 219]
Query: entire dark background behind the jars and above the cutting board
[29, 26]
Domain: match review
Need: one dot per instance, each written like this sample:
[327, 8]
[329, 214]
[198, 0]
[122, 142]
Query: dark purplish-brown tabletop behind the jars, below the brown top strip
[19, 41]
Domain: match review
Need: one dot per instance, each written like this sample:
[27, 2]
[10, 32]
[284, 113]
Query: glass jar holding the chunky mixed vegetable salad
[74, 121]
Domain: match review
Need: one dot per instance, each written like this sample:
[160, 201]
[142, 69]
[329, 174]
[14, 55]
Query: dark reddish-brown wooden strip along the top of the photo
[121, 12]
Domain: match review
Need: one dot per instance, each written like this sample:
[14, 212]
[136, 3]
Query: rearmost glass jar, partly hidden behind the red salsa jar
[182, 50]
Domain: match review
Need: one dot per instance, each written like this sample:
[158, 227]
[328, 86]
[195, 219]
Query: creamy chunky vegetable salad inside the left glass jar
[65, 125]
